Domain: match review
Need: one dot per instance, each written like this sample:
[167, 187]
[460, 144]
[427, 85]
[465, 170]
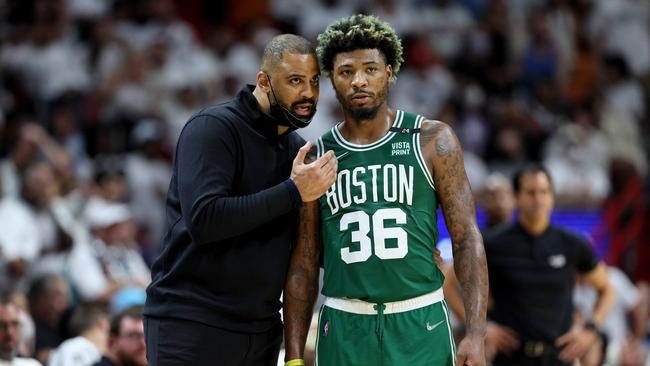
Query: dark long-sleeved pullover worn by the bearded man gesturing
[230, 215]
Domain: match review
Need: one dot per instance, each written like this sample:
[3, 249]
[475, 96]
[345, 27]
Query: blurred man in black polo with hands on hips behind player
[532, 265]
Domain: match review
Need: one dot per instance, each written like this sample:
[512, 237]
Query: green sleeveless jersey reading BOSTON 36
[378, 220]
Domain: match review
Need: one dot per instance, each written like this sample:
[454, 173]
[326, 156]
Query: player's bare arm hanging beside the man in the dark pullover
[301, 287]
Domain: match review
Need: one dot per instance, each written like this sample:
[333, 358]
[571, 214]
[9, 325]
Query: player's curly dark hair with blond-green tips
[359, 32]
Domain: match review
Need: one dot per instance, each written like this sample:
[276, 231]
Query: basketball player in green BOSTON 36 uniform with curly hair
[377, 222]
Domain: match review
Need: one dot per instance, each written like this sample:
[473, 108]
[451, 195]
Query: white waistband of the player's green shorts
[361, 307]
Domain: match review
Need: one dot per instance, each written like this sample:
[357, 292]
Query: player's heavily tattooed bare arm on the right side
[445, 161]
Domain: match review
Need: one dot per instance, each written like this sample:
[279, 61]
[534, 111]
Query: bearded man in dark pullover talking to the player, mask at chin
[238, 177]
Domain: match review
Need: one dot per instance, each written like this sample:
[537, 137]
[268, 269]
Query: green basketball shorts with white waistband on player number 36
[413, 332]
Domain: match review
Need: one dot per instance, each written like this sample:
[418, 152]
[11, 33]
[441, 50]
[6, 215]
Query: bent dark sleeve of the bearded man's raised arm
[206, 158]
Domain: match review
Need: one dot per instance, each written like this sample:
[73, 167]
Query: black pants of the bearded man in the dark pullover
[172, 342]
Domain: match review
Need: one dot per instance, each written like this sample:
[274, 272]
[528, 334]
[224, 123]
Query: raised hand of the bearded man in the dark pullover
[315, 178]
